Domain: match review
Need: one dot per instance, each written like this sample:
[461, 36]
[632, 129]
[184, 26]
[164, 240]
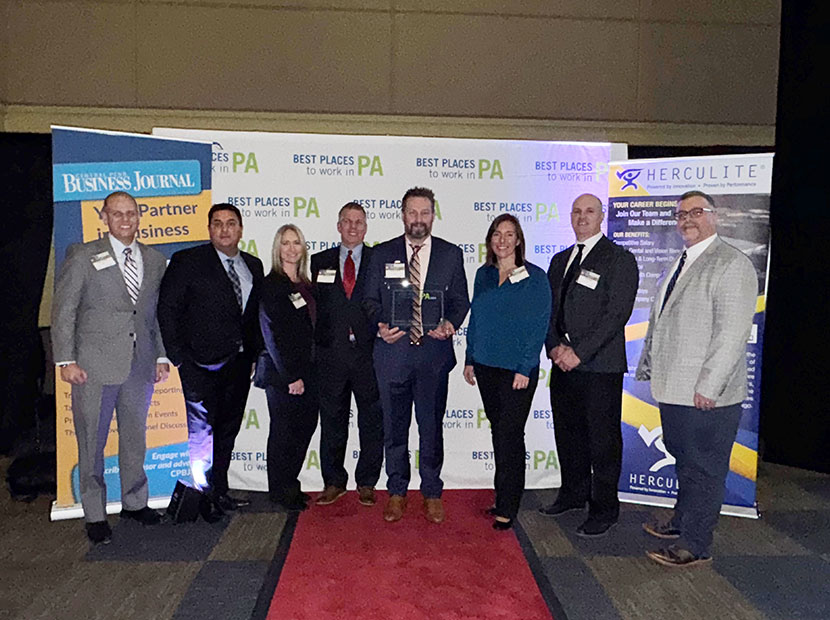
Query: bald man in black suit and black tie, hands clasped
[593, 284]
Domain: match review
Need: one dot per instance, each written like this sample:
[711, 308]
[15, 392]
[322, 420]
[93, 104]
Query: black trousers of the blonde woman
[293, 420]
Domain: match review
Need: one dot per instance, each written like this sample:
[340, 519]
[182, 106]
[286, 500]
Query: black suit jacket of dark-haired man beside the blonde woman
[198, 314]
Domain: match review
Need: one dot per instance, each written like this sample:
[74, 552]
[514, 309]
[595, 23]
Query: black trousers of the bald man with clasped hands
[586, 422]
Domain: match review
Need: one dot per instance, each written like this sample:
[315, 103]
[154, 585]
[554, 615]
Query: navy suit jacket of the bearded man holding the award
[445, 273]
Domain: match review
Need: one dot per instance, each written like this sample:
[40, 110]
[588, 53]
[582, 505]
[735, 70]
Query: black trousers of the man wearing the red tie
[341, 373]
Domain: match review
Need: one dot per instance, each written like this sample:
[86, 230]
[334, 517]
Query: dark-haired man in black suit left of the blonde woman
[208, 313]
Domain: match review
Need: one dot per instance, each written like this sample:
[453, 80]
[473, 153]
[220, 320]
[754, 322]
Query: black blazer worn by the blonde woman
[287, 333]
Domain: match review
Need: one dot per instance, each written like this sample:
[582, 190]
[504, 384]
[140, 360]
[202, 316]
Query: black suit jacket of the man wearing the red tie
[336, 313]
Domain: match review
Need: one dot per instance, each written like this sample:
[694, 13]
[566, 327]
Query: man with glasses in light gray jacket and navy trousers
[695, 356]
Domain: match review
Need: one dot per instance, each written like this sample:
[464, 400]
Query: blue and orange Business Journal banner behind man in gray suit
[171, 181]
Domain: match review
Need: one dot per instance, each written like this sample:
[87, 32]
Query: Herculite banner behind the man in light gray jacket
[643, 197]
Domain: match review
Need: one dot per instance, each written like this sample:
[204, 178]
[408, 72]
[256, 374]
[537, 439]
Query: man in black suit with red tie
[345, 341]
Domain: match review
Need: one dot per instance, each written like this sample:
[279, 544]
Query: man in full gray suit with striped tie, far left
[106, 343]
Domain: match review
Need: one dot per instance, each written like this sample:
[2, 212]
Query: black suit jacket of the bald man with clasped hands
[596, 318]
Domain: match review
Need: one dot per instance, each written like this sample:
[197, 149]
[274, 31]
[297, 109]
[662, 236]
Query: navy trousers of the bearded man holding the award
[422, 383]
